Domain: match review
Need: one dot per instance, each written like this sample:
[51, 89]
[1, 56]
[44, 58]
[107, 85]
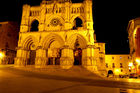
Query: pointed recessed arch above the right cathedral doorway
[79, 38]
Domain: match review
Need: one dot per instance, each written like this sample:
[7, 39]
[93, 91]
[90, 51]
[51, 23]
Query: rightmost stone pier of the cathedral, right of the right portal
[88, 59]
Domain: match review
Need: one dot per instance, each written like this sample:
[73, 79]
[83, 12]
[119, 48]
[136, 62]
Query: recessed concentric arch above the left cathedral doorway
[29, 42]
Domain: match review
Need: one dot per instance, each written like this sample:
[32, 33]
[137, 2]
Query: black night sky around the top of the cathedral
[111, 18]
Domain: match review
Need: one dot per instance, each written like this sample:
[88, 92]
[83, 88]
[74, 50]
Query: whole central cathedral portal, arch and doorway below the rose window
[53, 44]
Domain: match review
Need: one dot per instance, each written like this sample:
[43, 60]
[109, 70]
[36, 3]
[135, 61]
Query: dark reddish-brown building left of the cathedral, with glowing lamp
[8, 42]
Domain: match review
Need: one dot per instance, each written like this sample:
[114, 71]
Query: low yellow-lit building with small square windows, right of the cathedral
[119, 64]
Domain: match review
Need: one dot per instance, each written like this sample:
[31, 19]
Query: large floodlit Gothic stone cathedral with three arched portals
[59, 32]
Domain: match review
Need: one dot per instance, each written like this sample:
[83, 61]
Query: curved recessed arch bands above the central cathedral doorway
[46, 42]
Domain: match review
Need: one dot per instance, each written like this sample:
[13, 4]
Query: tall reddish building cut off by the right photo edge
[134, 42]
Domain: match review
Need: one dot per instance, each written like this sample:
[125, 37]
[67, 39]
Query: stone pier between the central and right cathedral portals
[67, 59]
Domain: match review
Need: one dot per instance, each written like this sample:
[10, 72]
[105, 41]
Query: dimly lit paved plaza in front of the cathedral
[31, 80]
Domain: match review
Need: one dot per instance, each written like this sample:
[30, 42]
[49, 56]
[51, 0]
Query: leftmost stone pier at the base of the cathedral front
[21, 57]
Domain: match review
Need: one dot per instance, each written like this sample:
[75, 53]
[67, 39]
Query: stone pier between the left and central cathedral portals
[41, 59]
